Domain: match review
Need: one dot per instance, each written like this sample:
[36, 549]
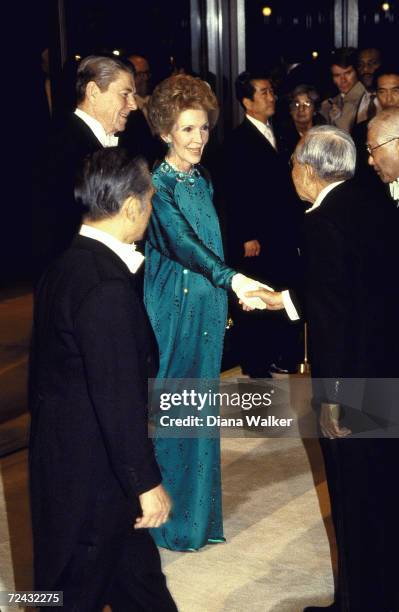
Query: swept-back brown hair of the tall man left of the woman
[100, 69]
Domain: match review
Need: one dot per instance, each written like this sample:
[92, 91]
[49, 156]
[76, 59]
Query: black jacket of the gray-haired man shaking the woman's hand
[350, 247]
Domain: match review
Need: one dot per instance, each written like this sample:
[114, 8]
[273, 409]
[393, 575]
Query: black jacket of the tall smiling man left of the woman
[56, 215]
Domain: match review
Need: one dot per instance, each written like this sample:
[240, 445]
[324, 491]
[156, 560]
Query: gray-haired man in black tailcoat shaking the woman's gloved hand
[349, 298]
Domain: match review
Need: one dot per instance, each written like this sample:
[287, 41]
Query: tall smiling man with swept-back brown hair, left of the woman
[105, 96]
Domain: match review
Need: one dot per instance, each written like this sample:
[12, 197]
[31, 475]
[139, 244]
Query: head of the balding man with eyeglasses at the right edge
[383, 149]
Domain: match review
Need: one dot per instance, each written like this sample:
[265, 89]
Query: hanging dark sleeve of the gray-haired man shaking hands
[328, 297]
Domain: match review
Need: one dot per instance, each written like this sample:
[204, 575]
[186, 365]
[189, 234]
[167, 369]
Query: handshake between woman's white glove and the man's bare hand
[253, 294]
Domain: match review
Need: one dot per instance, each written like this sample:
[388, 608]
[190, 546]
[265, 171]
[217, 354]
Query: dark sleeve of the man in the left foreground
[105, 331]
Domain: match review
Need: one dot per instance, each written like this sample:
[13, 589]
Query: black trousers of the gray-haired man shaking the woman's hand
[362, 482]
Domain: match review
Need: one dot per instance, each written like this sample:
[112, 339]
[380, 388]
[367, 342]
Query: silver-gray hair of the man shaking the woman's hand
[330, 151]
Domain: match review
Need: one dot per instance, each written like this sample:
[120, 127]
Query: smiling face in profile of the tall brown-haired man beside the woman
[113, 106]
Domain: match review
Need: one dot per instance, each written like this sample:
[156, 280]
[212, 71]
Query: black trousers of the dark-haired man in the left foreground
[123, 572]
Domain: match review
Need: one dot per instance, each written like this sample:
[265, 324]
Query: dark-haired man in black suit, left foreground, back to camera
[95, 484]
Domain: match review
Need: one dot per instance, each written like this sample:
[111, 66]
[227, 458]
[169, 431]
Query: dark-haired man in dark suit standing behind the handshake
[262, 219]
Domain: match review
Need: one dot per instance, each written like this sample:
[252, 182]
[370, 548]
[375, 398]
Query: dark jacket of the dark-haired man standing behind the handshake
[261, 205]
